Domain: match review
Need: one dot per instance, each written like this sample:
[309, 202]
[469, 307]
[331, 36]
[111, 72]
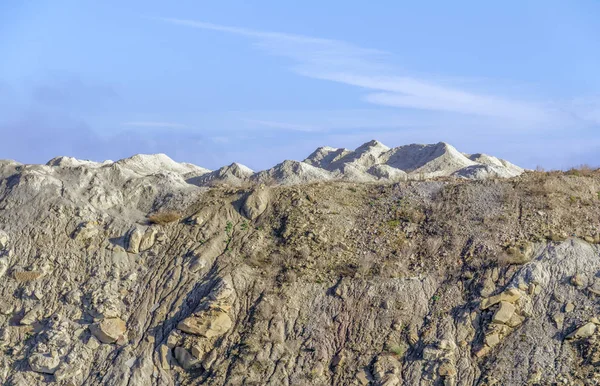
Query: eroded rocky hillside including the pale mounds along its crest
[128, 273]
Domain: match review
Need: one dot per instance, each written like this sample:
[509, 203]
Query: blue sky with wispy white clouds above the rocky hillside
[217, 82]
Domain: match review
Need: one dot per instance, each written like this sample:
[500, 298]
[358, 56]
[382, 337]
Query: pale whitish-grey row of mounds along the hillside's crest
[370, 162]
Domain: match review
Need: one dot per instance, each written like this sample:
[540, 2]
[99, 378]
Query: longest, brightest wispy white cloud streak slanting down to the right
[342, 62]
